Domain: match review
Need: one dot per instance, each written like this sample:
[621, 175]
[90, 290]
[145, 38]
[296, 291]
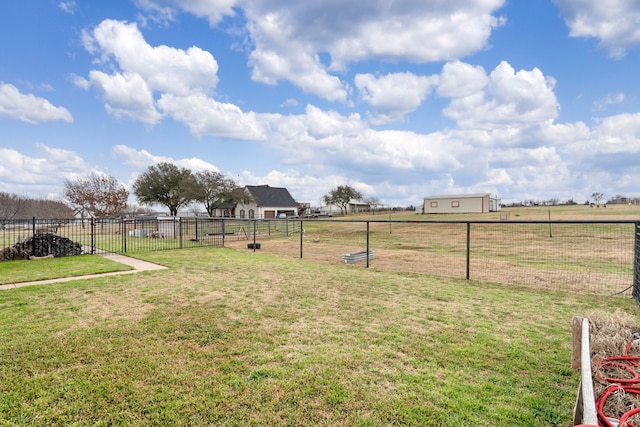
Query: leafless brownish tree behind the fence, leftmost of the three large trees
[97, 195]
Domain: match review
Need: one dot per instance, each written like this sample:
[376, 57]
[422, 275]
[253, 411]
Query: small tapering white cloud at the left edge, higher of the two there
[29, 108]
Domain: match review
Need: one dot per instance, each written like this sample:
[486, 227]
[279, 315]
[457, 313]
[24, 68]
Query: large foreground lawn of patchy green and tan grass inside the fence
[237, 338]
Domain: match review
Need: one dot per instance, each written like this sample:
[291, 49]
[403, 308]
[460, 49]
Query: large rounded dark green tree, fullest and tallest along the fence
[167, 185]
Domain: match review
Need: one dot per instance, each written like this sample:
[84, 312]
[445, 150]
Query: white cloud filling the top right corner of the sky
[615, 23]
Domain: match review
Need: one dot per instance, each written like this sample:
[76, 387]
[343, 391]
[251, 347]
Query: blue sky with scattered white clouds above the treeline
[527, 100]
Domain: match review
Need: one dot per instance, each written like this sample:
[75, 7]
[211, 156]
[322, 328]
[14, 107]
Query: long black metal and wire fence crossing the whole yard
[601, 257]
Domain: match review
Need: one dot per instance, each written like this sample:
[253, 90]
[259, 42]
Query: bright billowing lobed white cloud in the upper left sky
[143, 70]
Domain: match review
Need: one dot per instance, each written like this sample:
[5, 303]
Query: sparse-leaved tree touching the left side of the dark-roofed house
[214, 188]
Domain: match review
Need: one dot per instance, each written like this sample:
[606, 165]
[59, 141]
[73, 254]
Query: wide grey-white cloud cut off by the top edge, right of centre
[415, 31]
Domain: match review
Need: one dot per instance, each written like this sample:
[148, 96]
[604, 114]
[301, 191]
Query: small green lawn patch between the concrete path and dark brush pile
[54, 268]
